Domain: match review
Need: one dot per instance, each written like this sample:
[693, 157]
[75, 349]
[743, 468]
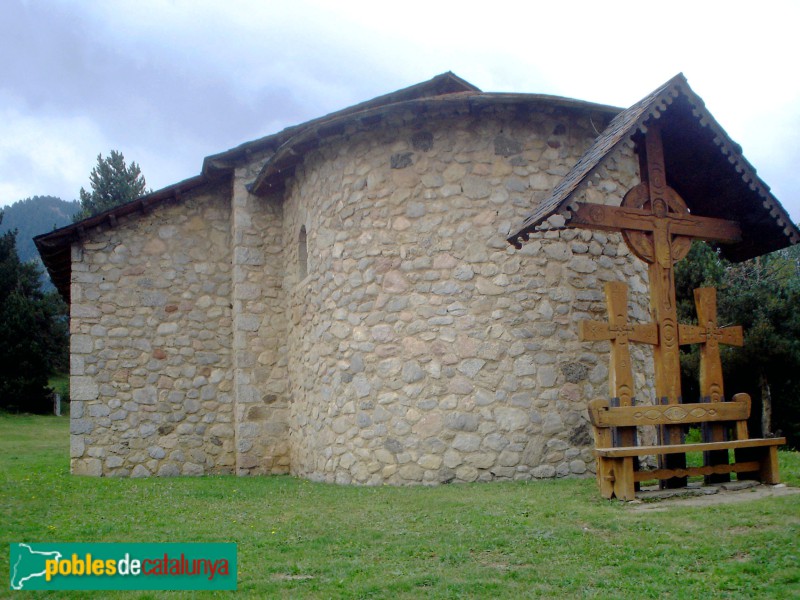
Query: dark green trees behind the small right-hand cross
[762, 295]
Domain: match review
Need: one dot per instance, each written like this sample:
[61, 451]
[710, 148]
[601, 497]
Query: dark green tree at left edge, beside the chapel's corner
[33, 333]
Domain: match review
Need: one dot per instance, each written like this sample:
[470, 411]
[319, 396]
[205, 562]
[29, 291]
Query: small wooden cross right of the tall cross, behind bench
[710, 335]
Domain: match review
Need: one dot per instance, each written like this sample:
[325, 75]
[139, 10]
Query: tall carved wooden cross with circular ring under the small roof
[658, 228]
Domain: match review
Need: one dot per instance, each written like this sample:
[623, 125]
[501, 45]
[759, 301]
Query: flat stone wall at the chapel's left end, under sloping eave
[151, 371]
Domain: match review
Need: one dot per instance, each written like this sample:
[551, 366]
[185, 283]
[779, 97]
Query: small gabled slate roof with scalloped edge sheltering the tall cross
[703, 165]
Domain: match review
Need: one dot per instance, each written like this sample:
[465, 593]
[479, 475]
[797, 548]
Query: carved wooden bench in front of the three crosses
[618, 473]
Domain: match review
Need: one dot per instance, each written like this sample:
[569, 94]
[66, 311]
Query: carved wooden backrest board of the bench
[603, 415]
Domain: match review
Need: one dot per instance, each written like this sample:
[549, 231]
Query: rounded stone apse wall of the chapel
[422, 348]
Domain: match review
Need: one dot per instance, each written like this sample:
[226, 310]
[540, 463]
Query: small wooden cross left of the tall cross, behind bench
[620, 333]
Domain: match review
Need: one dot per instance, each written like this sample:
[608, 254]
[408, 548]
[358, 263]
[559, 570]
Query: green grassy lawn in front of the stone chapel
[510, 540]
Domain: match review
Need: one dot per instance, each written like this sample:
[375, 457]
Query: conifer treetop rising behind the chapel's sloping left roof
[113, 183]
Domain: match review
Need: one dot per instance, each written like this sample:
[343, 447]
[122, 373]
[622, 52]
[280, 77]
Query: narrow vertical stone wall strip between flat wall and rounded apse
[259, 338]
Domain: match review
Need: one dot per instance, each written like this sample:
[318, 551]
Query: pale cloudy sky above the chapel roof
[168, 82]
